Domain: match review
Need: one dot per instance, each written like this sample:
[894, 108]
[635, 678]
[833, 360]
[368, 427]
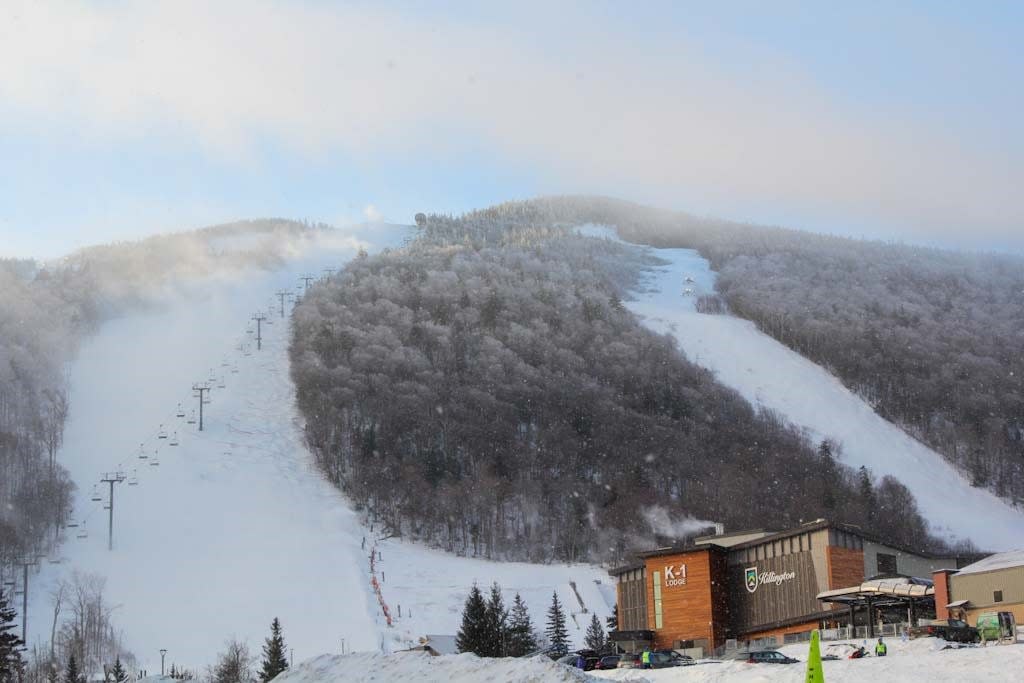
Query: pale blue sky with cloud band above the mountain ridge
[895, 121]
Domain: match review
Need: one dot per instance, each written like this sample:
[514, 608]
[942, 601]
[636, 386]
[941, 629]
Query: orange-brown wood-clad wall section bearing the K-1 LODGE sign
[688, 612]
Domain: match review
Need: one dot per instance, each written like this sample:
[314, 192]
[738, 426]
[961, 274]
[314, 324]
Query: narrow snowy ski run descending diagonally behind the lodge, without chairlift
[770, 374]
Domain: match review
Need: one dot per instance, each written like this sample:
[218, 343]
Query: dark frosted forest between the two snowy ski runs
[485, 390]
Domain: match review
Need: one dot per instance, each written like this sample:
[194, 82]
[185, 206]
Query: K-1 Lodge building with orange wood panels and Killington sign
[753, 586]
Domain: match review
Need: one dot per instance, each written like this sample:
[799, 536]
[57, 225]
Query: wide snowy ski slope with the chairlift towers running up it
[235, 527]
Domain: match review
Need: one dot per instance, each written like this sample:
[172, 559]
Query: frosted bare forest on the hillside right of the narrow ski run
[932, 339]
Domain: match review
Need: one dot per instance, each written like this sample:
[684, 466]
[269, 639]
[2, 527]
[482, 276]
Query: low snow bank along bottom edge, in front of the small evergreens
[423, 668]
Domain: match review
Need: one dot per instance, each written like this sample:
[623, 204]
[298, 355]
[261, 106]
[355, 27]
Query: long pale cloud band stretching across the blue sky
[593, 109]
